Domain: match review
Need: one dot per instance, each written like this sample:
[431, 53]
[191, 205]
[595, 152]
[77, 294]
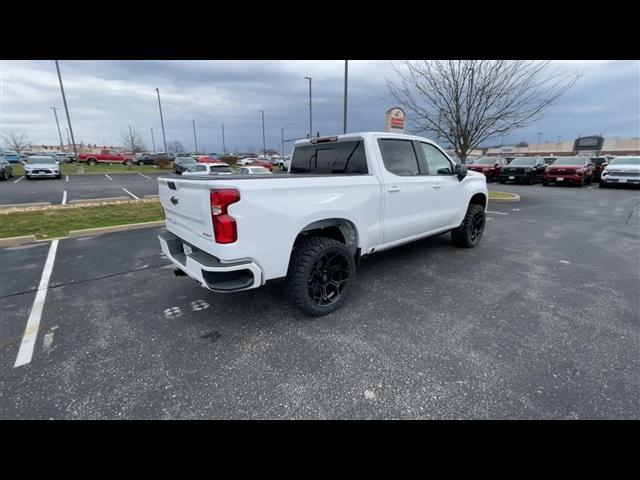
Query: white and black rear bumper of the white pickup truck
[209, 271]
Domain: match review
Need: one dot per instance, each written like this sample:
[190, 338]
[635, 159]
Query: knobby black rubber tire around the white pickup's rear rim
[303, 261]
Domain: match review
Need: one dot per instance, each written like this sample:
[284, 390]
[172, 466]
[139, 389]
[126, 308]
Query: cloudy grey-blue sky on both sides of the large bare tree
[105, 96]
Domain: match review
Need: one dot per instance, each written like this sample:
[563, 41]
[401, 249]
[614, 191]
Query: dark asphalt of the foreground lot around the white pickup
[540, 321]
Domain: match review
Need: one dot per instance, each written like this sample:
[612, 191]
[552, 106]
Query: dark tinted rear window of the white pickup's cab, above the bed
[339, 157]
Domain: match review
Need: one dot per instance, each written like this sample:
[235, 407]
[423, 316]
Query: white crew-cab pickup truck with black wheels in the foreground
[343, 198]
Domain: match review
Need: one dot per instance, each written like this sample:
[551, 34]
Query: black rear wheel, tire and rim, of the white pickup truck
[320, 275]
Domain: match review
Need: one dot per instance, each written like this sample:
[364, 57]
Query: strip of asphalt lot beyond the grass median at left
[78, 187]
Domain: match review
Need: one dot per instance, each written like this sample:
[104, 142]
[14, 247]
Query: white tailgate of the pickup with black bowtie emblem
[187, 210]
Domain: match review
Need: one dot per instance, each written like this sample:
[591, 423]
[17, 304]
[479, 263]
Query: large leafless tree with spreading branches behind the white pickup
[468, 102]
